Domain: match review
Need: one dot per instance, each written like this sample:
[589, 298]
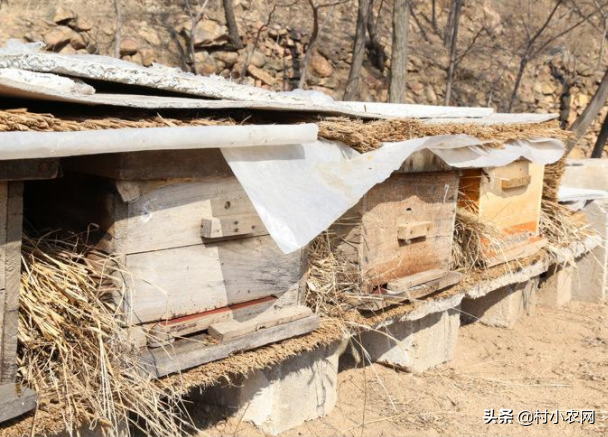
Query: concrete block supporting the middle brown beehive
[415, 345]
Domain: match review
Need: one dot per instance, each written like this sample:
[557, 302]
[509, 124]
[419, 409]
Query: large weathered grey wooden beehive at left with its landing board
[196, 254]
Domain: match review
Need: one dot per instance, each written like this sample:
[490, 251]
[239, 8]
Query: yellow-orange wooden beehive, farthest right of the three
[509, 198]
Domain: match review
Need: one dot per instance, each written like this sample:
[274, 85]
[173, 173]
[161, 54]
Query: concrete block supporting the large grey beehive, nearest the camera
[290, 393]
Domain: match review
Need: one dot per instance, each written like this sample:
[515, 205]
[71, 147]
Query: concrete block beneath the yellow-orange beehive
[501, 307]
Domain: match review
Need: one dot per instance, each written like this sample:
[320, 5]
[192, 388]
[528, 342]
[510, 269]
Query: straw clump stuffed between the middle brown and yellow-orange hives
[473, 238]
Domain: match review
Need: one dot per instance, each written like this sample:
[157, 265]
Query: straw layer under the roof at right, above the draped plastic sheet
[364, 136]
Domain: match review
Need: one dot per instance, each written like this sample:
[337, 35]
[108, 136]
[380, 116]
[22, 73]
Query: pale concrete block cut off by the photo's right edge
[590, 281]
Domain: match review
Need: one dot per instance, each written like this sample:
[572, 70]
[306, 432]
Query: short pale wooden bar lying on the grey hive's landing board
[232, 329]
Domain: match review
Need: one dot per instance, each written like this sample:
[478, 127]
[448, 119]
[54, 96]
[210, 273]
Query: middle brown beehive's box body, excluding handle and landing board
[367, 236]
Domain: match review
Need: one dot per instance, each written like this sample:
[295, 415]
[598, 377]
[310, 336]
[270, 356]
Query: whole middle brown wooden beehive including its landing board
[398, 238]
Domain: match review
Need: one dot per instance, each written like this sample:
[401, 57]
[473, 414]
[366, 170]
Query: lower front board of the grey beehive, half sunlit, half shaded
[172, 283]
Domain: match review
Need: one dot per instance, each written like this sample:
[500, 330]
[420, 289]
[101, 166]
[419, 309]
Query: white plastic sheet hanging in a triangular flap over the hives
[300, 190]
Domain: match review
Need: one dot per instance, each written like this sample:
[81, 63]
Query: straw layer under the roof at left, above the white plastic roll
[23, 120]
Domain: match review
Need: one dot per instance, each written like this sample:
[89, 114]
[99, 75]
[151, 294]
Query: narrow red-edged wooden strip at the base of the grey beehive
[167, 331]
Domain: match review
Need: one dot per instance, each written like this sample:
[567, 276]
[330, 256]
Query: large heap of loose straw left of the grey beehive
[73, 350]
